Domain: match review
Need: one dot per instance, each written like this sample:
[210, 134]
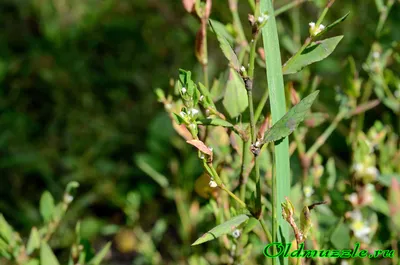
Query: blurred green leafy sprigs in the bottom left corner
[37, 250]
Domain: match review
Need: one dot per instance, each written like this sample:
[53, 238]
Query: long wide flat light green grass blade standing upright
[281, 185]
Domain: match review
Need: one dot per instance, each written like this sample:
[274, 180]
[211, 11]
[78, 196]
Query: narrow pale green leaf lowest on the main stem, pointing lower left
[222, 229]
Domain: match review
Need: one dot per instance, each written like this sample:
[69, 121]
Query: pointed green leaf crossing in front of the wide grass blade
[289, 122]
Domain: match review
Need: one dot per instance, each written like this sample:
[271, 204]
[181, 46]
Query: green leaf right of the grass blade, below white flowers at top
[315, 52]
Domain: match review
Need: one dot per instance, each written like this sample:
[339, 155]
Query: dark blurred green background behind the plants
[77, 103]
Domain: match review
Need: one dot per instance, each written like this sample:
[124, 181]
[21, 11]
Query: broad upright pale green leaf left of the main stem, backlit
[235, 100]
